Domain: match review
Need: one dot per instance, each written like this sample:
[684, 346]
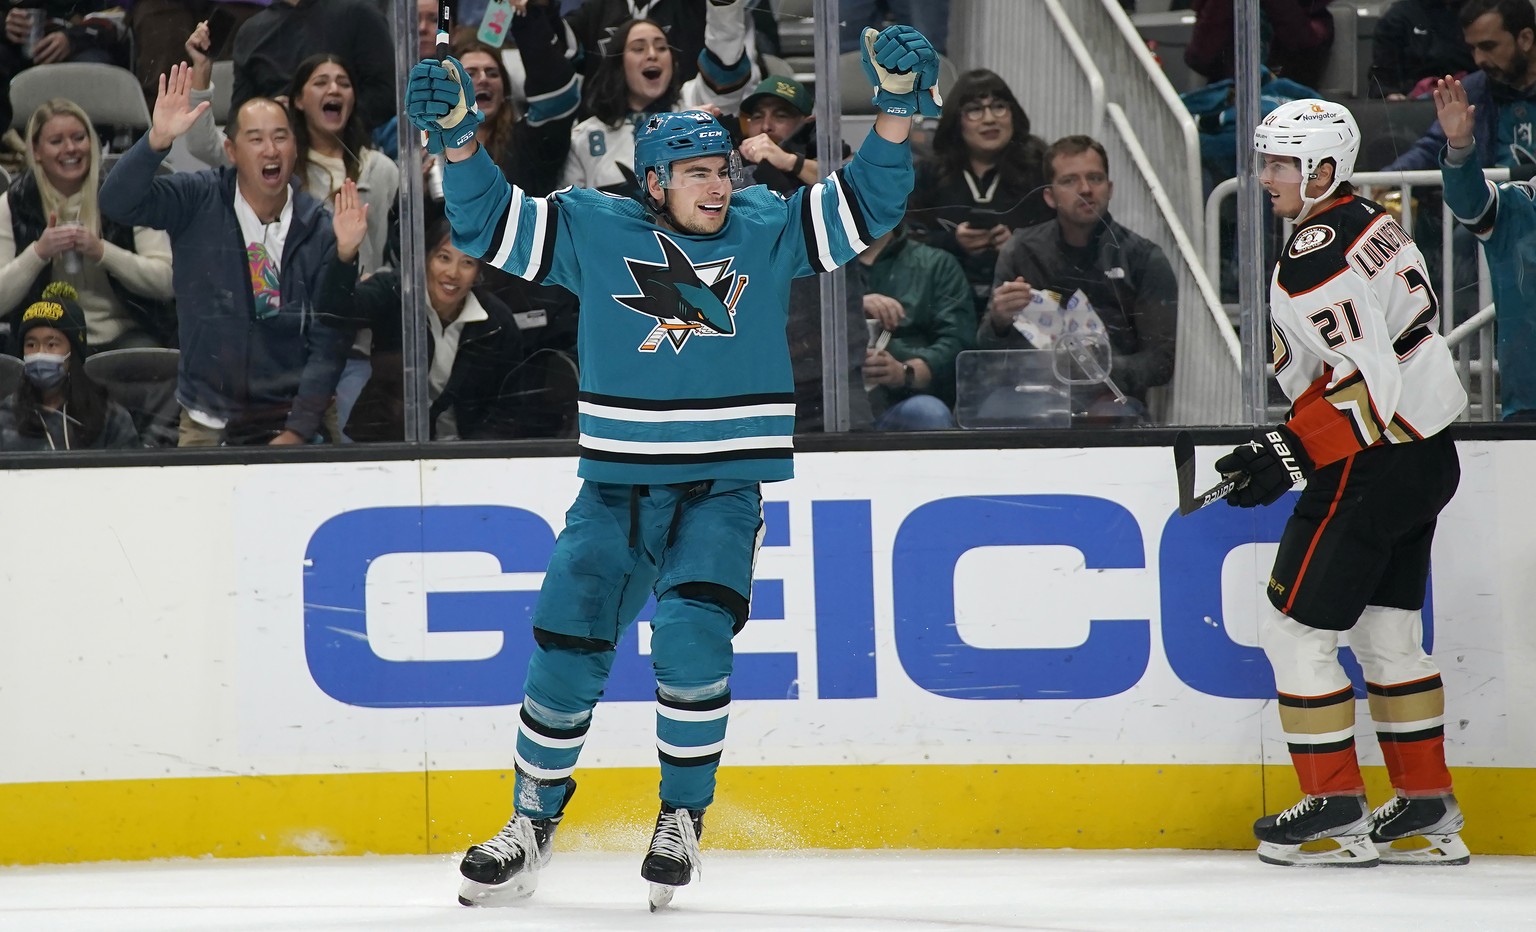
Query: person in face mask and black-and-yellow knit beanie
[58, 406]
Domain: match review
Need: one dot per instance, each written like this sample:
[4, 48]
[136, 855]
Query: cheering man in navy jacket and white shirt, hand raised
[259, 366]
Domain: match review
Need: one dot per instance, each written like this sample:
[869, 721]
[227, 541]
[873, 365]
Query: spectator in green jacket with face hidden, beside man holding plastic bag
[921, 297]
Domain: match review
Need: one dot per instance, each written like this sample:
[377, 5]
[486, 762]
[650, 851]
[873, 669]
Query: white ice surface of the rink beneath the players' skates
[752, 893]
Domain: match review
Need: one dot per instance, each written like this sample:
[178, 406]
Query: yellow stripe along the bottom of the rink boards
[932, 807]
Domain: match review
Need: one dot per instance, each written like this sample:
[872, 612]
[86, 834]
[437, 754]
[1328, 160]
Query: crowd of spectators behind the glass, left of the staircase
[274, 273]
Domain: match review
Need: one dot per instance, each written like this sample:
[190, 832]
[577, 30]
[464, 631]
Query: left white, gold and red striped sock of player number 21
[1317, 706]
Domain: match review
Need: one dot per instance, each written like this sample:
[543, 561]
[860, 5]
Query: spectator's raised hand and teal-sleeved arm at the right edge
[1505, 219]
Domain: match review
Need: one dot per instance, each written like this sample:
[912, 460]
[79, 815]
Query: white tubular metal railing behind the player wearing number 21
[1477, 369]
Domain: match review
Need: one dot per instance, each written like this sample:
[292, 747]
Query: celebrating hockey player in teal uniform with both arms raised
[686, 408]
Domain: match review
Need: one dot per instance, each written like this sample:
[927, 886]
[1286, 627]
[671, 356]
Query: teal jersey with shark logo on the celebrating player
[684, 363]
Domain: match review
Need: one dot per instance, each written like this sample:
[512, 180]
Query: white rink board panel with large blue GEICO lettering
[967, 607]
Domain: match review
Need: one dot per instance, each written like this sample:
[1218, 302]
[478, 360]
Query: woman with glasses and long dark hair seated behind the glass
[984, 180]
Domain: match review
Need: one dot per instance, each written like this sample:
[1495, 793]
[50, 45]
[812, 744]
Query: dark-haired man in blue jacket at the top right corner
[1503, 39]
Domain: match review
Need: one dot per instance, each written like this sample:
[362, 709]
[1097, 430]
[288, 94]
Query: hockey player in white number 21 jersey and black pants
[1372, 389]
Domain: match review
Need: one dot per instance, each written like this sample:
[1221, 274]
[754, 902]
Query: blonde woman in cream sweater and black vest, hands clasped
[51, 230]
